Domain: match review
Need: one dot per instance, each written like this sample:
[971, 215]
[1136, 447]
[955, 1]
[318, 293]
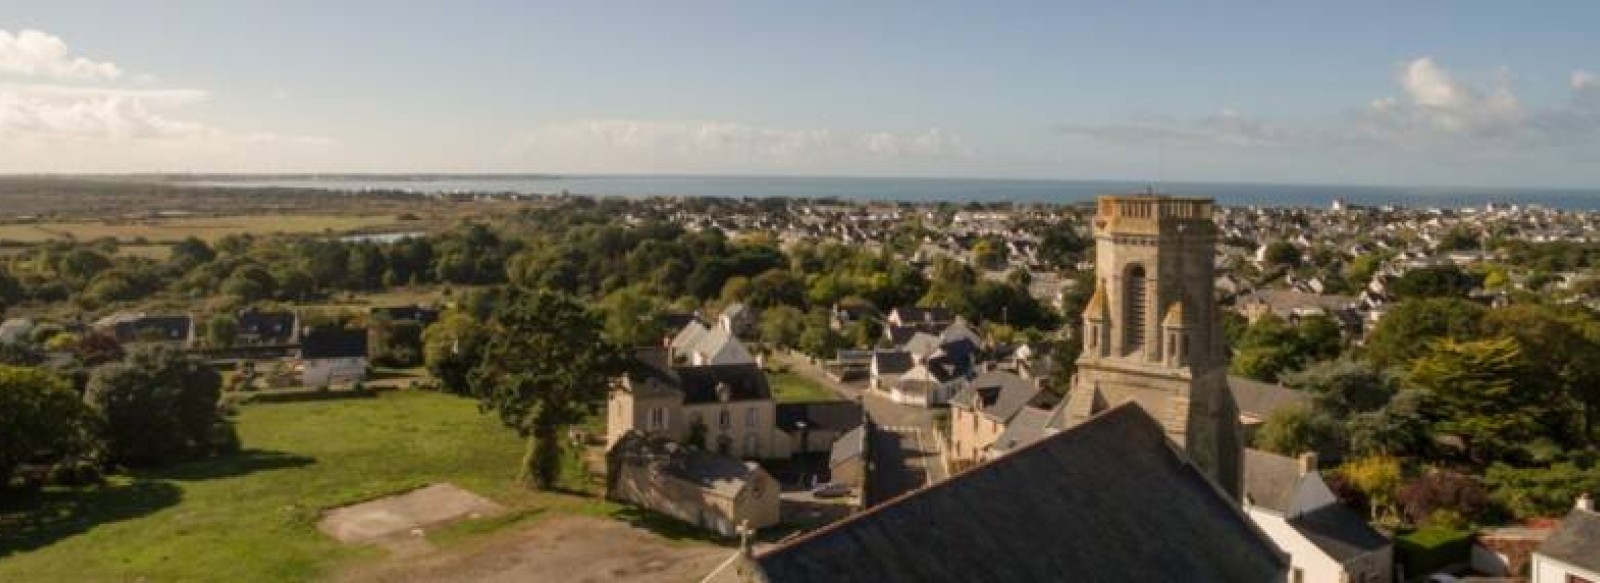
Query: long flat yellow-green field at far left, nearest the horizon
[207, 228]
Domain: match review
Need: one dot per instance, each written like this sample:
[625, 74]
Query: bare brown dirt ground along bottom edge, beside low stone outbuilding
[562, 549]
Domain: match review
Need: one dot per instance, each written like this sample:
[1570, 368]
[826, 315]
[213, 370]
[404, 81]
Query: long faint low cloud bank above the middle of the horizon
[622, 145]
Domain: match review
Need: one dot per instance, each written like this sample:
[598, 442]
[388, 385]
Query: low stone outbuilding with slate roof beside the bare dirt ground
[714, 493]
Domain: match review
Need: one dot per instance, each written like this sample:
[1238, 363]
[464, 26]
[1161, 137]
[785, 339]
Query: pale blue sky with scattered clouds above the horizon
[1457, 94]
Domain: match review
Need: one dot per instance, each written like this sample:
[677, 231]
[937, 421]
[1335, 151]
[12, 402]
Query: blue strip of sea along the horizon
[937, 190]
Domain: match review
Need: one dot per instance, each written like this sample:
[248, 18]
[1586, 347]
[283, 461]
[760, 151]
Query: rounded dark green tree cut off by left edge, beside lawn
[39, 412]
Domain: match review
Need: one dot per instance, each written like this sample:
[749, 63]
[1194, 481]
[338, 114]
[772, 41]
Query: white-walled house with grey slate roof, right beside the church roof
[1326, 541]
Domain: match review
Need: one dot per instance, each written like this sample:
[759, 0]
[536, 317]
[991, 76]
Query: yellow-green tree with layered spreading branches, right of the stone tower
[1479, 395]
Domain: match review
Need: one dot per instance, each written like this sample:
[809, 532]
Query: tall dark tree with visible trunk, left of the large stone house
[545, 368]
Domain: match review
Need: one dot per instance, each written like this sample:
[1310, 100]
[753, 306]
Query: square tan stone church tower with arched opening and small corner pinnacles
[1153, 332]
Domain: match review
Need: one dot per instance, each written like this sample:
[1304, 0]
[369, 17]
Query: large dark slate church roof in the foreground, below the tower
[1110, 501]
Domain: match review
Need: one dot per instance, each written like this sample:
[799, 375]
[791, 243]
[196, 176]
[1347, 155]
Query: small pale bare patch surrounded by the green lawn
[401, 515]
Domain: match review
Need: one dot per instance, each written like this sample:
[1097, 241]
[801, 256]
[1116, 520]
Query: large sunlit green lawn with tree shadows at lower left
[252, 517]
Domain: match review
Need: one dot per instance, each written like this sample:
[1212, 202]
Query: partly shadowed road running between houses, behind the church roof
[905, 452]
